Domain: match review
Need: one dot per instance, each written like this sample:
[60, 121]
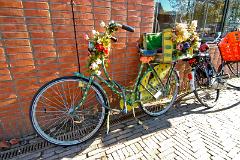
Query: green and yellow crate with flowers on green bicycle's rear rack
[171, 44]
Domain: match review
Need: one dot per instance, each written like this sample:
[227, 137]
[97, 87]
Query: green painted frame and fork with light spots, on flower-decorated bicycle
[129, 96]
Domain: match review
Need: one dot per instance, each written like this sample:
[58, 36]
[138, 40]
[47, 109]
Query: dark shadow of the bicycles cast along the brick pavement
[127, 130]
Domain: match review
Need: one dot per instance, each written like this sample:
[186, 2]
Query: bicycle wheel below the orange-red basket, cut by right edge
[231, 73]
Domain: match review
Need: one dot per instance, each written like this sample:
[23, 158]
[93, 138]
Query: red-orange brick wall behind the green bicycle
[37, 44]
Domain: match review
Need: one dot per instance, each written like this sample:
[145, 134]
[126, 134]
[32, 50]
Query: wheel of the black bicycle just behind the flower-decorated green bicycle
[206, 88]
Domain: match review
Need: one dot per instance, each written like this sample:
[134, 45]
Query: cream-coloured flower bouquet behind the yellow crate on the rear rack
[186, 37]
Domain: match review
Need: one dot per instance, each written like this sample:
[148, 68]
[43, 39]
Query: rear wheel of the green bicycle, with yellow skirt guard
[149, 104]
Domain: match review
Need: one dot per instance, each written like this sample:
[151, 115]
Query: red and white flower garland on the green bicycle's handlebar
[99, 46]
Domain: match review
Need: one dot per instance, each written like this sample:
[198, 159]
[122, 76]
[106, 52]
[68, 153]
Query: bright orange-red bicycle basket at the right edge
[230, 47]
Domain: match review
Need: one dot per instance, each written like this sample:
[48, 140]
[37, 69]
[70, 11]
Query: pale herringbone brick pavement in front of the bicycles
[187, 131]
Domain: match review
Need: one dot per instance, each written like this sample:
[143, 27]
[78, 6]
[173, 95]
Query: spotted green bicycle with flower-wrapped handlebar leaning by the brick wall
[70, 110]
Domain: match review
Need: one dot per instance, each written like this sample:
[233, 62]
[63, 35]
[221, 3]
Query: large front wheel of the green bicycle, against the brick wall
[54, 118]
